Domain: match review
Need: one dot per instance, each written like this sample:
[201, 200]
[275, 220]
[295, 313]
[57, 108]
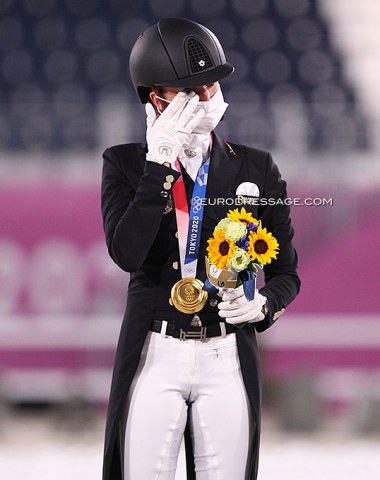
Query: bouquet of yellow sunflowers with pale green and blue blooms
[237, 250]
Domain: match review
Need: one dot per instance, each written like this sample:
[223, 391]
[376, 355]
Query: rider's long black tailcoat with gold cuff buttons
[142, 240]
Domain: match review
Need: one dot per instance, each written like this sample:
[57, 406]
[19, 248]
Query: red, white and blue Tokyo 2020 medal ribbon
[189, 220]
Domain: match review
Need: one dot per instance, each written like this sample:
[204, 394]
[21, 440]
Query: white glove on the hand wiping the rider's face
[167, 133]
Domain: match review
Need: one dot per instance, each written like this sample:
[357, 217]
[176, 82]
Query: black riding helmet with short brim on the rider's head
[178, 53]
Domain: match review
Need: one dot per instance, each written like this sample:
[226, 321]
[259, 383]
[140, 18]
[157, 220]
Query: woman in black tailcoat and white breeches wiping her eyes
[182, 366]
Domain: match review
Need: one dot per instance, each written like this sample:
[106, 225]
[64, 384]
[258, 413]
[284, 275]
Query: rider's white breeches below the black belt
[173, 374]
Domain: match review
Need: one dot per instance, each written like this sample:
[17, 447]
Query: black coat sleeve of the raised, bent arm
[132, 207]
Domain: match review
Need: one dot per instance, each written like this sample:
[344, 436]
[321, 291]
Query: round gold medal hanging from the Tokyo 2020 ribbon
[188, 296]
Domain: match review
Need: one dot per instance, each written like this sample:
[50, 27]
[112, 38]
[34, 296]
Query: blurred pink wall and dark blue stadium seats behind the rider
[305, 88]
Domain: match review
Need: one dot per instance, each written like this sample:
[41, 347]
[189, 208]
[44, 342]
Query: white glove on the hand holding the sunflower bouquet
[235, 308]
